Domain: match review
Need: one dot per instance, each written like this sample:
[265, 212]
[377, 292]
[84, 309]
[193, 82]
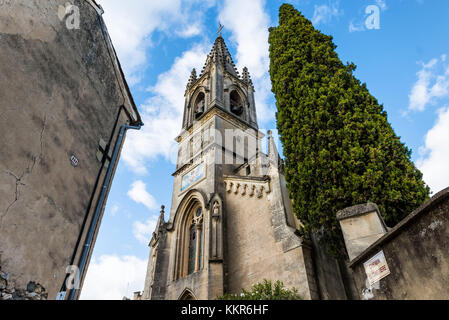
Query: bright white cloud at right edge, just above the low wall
[435, 154]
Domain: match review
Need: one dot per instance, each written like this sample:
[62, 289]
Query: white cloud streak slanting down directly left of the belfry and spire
[162, 114]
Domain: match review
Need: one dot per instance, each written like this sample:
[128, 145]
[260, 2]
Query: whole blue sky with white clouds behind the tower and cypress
[403, 62]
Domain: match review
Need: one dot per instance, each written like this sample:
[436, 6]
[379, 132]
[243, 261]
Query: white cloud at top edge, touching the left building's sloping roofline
[131, 26]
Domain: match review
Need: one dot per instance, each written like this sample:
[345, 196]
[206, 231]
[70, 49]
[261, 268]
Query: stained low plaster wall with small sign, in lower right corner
[417, 253]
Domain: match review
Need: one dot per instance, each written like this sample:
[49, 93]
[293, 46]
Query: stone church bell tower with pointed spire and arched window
[231, 223]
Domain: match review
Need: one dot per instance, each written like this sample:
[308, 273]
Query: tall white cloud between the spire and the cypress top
[252, 47]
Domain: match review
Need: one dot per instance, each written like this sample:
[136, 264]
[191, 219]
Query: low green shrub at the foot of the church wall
[265, 291]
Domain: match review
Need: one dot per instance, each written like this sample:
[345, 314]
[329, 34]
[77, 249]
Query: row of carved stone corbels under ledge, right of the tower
[247, 186]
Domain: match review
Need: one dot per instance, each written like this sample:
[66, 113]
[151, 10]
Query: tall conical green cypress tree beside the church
[339, 148]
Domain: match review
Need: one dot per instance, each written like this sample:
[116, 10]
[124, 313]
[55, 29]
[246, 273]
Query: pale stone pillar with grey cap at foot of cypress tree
[362, 225]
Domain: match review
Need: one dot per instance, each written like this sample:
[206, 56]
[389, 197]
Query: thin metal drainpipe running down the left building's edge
[94, 223]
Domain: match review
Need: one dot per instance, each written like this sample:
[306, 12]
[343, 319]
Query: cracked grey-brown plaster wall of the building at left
[59, 95]
